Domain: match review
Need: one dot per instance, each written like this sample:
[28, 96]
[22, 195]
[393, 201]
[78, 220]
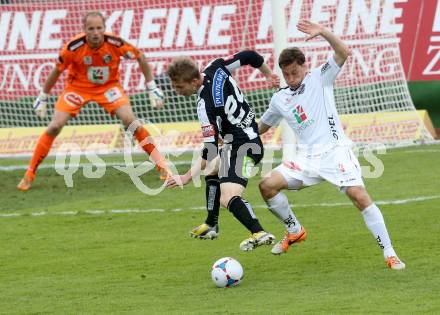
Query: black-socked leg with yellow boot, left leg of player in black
[209, 229]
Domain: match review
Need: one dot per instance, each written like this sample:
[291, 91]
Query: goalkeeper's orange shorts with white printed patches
[71, 100]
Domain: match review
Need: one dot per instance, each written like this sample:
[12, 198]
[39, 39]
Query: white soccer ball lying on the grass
[226, 272]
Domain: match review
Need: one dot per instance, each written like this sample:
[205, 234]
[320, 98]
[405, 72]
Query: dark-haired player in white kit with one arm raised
[324, 152]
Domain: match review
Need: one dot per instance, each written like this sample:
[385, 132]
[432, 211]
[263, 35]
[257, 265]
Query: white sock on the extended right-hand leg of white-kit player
[374, 220]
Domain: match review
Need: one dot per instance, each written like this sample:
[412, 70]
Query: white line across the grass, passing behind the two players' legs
[199, 208]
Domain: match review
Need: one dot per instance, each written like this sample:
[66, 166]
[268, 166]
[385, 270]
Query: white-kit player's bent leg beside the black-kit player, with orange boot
[278, 204]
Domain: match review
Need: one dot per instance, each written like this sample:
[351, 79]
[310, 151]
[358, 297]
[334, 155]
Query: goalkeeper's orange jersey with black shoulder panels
[93, 70]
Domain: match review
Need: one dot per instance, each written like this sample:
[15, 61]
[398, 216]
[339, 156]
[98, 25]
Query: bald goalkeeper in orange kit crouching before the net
[92, 59]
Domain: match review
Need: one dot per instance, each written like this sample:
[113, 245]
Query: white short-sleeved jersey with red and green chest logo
[310, 110]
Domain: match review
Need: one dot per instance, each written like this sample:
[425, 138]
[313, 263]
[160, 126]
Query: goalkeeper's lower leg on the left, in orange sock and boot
[43, 146]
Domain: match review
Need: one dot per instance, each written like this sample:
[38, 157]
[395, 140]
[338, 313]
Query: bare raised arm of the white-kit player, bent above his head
[312, 29]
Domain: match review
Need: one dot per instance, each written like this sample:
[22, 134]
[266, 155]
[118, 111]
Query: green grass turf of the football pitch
[59, 257]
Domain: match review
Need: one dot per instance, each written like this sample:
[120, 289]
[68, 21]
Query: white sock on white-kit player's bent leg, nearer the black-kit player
[279, 206]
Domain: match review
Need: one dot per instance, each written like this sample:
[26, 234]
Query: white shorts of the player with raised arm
[338, 166]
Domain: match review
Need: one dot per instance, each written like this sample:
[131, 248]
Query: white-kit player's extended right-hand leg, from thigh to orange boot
[375, 222]
